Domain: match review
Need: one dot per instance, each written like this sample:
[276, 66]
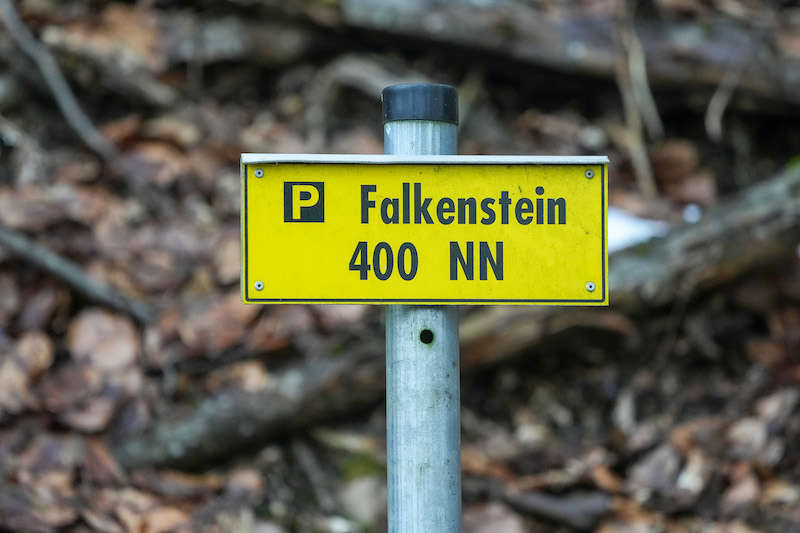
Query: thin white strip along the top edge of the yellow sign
[379, 159]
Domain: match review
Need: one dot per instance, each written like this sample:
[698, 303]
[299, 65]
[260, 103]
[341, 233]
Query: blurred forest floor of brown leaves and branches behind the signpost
[138, 394]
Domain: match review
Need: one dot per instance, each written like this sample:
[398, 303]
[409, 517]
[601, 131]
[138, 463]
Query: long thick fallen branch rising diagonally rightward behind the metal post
[760, 226]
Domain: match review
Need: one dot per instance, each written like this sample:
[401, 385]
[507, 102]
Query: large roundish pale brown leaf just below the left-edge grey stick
[107, 341]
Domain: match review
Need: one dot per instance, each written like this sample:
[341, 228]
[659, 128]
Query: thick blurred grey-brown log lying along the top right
[678, 53]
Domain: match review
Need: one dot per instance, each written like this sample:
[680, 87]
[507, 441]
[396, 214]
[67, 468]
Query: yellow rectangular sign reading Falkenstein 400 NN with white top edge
[424, 230]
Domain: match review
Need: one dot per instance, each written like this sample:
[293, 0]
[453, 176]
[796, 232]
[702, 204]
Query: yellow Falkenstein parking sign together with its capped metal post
[422, 230]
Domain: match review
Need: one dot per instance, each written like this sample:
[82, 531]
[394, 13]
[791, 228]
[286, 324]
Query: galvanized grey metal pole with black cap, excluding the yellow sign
[422, 361]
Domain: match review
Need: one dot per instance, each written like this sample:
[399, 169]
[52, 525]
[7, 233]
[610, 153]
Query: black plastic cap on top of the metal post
[420, 101]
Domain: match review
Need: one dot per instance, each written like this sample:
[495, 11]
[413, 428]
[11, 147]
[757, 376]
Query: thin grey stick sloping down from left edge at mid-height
[70, 273]
